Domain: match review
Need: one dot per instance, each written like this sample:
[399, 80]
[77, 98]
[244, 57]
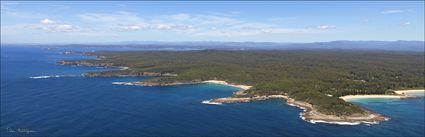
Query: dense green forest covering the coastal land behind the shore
[318, 77]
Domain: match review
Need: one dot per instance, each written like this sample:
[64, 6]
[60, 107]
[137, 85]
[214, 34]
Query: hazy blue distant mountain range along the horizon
[417, 46]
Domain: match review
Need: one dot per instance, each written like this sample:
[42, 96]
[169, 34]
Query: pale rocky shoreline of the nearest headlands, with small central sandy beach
[309, 114]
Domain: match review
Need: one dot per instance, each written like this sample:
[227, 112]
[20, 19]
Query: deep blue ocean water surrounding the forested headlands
[72, 105]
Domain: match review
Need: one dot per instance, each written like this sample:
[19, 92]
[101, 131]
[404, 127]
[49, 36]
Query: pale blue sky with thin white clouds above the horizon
[238, 21]
